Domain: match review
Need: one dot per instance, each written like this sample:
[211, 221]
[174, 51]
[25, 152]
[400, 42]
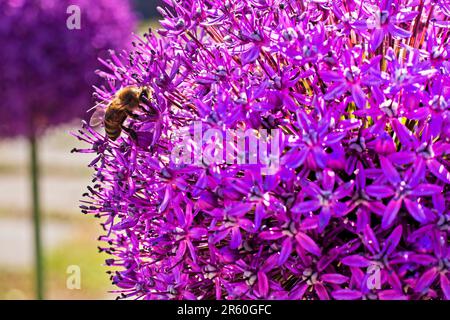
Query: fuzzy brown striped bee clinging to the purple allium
[123, 104]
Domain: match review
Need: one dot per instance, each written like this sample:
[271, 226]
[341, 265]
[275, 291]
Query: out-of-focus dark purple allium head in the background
[47, 70]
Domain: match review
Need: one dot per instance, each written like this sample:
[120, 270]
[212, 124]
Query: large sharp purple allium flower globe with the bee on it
[354, 95]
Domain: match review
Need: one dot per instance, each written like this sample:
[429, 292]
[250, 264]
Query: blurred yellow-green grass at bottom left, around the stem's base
[80, 251]
